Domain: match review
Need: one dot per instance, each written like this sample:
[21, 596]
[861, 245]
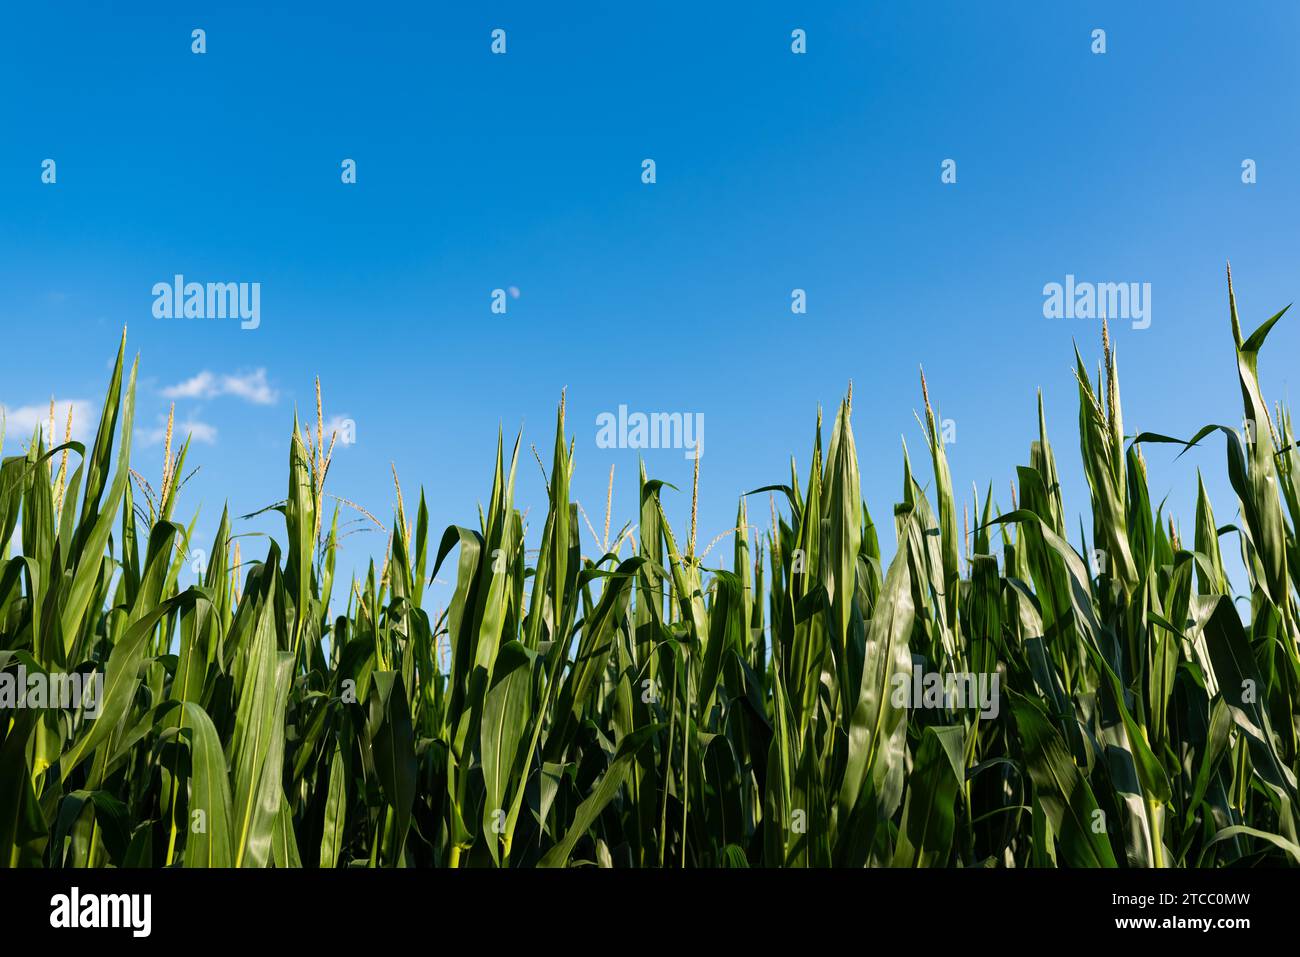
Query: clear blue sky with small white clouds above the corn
[774, 172]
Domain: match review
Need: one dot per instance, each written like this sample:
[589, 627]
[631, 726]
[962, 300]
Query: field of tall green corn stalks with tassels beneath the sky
[639, 709]
